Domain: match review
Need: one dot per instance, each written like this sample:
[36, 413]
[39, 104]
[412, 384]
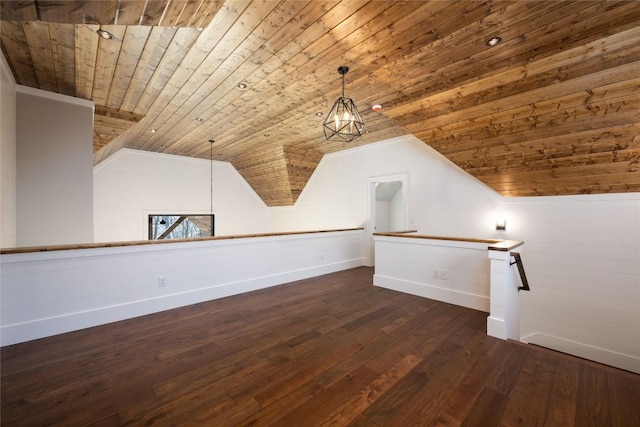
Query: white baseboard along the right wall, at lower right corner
[597, 354]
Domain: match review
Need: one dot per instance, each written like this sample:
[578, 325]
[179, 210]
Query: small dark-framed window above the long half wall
[180, 226]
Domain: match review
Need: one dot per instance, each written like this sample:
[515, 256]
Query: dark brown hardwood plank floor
[332, 350]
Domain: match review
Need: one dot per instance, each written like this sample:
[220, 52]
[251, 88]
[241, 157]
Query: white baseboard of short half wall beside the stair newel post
[464, 299]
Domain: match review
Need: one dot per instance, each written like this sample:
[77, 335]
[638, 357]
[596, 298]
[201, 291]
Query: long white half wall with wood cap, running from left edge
[48, 293]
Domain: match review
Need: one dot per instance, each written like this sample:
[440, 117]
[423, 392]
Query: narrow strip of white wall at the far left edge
[7, 156]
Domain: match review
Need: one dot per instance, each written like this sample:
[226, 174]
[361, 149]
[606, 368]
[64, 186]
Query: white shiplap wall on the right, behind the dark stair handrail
[582, 260]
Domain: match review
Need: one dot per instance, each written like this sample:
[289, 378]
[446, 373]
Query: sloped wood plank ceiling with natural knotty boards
[553, 109]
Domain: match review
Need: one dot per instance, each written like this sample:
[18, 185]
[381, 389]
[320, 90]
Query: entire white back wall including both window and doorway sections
[442, 198]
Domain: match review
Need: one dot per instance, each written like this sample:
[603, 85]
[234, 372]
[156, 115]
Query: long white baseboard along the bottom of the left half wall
[41, 328]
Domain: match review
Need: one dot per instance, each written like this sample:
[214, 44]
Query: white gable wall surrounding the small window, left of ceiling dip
[131, 184]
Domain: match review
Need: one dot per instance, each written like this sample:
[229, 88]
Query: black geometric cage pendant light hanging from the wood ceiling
[344, 121]
